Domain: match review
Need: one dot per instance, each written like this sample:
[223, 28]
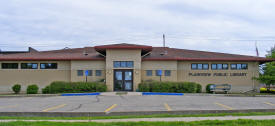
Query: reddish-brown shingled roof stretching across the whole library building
[156, 53]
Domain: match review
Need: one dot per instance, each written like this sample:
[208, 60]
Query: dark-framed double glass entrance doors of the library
[123, 80]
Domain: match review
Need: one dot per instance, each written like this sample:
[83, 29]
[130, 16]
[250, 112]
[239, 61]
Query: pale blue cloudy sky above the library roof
[227, 26]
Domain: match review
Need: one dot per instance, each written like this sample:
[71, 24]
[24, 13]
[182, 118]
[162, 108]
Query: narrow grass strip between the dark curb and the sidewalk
[137, 116]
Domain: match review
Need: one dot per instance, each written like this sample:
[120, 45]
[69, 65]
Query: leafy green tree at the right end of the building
[267, 76]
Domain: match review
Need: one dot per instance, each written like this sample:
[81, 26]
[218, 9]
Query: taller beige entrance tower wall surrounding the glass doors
[122, 55]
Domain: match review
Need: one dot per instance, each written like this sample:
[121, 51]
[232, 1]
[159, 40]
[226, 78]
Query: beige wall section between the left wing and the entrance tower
[87, 65]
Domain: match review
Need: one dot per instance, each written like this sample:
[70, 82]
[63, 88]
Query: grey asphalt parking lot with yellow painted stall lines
[132, 103]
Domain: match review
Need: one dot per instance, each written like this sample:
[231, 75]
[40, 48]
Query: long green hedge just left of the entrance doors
[74, 87]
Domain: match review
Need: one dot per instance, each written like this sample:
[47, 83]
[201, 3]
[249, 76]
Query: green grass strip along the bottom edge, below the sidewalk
[195, 123]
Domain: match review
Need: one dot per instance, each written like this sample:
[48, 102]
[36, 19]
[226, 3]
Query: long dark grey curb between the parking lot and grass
[91, 114]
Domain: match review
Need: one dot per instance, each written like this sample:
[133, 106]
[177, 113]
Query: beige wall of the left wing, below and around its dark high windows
[9, 77]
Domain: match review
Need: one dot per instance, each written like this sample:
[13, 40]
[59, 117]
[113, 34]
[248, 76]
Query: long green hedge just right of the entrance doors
[176, 87]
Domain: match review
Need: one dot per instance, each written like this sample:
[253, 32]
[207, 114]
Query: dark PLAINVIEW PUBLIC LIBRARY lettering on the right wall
[217, 74]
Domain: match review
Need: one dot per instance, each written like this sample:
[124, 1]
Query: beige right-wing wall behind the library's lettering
[239, 83]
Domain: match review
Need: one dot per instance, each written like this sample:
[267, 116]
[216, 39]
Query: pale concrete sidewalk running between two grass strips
[185, 119]
